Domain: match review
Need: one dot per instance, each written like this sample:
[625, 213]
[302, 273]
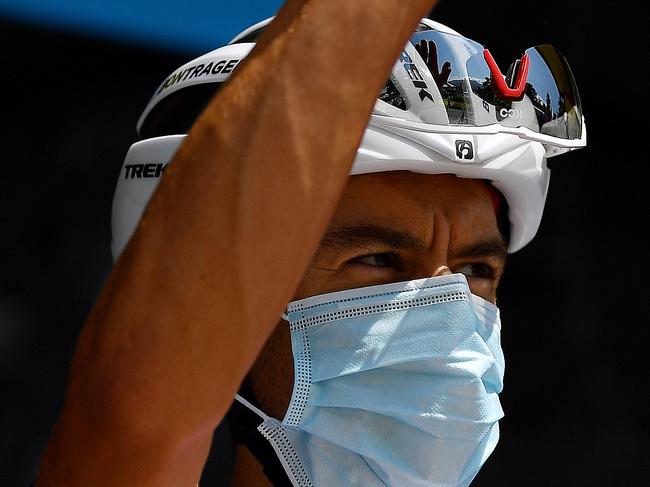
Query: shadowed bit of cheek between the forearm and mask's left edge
[271, 376]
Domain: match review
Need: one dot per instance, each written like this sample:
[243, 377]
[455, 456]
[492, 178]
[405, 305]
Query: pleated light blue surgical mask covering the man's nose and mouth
[394, 385]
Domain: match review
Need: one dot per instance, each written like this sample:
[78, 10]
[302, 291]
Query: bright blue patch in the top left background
[192, 27]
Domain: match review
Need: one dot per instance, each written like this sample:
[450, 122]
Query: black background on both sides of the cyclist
[574, 302]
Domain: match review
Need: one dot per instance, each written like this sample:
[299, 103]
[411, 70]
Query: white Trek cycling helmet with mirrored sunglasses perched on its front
[446, 108]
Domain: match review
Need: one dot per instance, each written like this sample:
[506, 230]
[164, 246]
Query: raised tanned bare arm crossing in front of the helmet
[223, 244]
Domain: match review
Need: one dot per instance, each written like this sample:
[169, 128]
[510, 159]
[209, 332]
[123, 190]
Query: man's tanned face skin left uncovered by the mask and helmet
[391, 227]
